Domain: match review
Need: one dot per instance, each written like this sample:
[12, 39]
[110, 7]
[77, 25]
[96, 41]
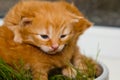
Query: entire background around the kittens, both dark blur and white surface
[103, 37]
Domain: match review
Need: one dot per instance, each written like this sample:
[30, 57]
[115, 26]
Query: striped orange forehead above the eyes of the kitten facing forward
[52, 26]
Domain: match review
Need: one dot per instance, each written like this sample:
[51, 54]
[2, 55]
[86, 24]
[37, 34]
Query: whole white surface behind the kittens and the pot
[108, 41]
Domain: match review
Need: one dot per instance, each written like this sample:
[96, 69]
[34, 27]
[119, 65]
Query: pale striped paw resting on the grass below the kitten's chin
[69, 72]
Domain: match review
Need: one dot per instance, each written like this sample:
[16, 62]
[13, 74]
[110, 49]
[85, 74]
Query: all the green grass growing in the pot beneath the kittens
[8, 73]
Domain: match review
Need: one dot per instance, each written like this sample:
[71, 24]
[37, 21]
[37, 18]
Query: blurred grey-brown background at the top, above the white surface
[101, 12]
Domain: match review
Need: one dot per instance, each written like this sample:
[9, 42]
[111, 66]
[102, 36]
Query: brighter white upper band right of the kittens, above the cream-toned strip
[107, 39]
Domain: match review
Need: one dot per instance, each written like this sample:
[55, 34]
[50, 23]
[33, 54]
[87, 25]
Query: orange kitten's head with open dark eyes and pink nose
[50, 37]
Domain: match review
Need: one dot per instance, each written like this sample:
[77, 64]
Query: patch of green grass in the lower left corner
[8, 73]
